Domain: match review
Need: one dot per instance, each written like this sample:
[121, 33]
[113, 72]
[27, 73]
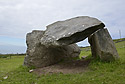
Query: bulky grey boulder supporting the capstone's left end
[39, 55]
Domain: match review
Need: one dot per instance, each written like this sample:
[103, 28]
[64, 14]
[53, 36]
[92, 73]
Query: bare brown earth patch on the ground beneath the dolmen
[65, 67]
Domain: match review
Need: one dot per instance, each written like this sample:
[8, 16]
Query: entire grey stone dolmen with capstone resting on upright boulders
[59, 40]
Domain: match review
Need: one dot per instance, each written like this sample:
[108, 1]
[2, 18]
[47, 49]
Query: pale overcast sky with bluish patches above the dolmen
[17, 17]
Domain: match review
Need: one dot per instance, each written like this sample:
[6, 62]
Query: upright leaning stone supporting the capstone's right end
[102, 46]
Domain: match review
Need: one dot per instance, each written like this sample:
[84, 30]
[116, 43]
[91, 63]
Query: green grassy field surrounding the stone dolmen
[12, 71]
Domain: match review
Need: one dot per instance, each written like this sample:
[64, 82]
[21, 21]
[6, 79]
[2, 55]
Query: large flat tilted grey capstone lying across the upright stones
[70, 31]
